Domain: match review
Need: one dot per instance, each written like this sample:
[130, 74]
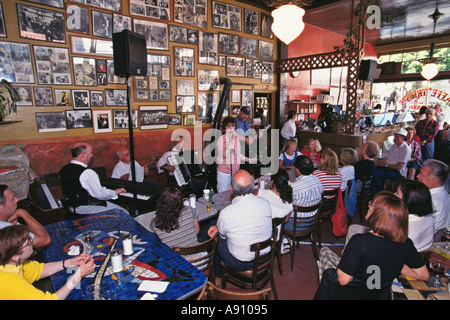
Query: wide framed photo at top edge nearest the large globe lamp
[226, 16]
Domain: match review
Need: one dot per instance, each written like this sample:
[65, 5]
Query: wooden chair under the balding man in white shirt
[261, 273]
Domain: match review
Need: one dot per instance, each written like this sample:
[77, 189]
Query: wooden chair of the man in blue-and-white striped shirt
[310, 231]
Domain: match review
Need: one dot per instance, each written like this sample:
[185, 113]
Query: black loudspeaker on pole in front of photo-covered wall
[130, 54]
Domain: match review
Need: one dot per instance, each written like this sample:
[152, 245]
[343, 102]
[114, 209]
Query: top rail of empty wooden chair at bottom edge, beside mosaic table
[211, 292]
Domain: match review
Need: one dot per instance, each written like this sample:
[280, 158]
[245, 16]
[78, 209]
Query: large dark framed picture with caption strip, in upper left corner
[41, 24]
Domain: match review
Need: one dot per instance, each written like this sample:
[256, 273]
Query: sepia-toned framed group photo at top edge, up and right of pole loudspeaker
[191, 12]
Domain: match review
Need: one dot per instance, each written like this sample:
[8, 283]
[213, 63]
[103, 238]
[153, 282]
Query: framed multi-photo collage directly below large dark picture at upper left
[52, 65]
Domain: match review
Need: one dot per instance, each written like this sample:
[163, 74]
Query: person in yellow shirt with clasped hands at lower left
[17, 273]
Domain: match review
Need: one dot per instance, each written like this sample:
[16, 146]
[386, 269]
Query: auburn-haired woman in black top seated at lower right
[387, 246]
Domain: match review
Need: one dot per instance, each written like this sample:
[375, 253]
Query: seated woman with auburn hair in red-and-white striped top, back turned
[328, 173]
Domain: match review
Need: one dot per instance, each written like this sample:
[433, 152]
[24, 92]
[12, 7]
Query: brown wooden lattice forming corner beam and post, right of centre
[329, 60]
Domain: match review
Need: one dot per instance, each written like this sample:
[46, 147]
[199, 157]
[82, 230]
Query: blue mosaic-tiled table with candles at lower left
[151, 260]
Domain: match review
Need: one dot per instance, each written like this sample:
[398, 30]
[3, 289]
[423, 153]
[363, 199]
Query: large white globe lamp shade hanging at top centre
[288, 22]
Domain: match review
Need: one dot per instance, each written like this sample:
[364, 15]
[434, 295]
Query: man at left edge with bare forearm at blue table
[9, 215]
